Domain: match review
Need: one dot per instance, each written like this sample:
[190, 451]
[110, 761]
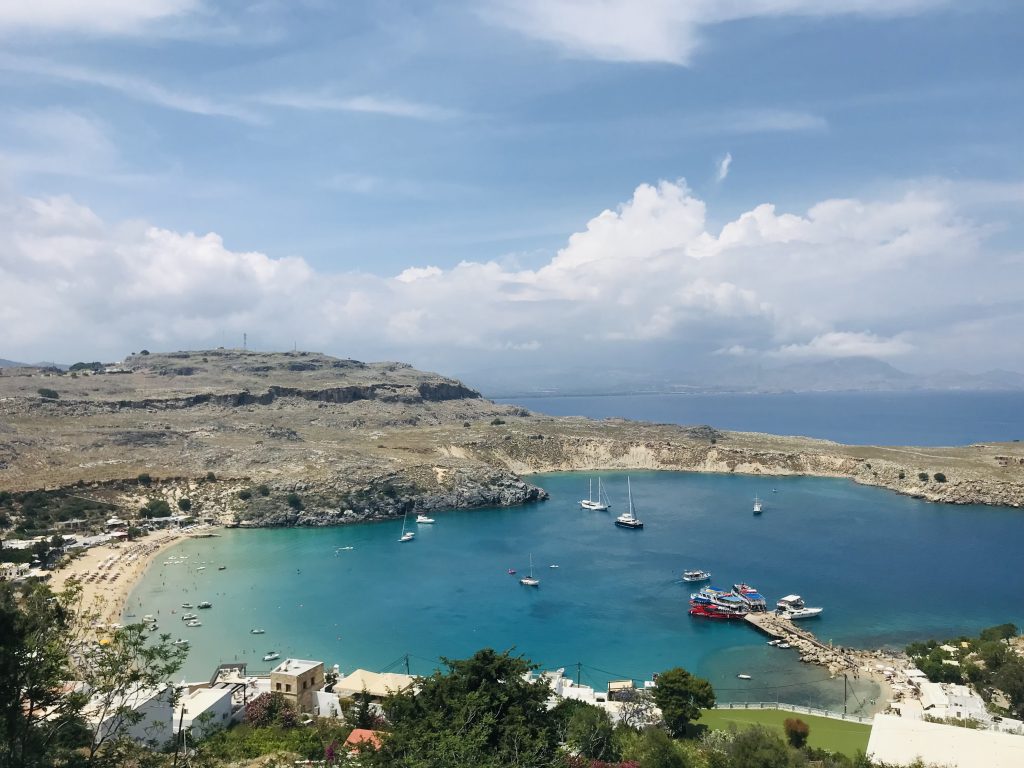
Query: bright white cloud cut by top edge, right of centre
[663, 31]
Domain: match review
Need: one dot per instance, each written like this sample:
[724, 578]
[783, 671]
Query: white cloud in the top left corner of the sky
[103, 17]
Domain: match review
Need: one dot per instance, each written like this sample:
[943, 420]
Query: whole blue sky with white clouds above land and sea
[517, 186]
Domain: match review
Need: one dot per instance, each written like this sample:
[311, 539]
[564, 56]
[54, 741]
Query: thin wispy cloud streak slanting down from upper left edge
[127, 86]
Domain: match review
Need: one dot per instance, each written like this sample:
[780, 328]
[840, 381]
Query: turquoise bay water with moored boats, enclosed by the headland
[887, 570]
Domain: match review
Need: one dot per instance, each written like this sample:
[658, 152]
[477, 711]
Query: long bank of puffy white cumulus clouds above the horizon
[649, 278]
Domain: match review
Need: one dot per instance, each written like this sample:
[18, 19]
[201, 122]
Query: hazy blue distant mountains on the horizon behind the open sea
[847, 374]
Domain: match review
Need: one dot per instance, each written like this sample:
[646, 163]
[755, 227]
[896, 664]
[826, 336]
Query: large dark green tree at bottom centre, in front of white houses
[481, 714]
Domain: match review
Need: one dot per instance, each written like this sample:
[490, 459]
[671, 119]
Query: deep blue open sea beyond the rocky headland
[857, 418]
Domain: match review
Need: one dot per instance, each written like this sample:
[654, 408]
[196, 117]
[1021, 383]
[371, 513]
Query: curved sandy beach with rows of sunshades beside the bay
[108, 573]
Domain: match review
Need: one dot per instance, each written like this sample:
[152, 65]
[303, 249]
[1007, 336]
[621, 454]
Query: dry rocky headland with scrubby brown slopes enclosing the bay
[307, 440]
